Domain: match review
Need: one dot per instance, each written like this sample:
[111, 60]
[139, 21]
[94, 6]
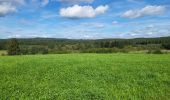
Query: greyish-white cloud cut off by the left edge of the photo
[6, 8]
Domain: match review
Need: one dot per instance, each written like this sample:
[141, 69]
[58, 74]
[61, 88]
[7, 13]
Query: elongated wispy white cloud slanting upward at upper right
[147, 10]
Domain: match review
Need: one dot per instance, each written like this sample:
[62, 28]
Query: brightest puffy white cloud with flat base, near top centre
[77, 11]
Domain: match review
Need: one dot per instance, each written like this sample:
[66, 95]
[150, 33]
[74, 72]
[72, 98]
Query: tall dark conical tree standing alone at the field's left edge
[13, 47]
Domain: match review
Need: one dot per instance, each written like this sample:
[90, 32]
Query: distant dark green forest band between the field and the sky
[61, 46]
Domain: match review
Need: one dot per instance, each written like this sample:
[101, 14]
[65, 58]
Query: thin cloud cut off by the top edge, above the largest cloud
[76, 1]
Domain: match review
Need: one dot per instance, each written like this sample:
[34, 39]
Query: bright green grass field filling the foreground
[85, 77]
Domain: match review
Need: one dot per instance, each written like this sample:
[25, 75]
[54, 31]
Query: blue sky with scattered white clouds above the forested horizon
[84, 19]
